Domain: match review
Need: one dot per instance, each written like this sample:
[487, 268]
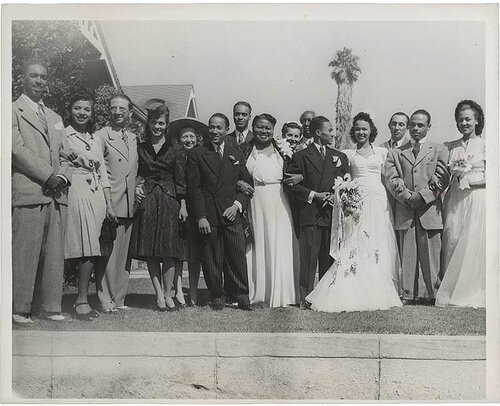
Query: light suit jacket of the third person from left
[121, 165]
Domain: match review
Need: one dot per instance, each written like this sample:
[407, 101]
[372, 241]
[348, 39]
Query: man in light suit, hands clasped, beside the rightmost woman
[416, 175]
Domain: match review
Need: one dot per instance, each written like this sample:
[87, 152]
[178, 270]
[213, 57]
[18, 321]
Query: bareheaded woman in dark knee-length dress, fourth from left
[156, 230]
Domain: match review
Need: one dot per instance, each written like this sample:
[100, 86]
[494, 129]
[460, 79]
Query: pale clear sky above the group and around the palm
[281, 67]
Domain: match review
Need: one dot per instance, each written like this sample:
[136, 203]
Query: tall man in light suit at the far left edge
[40, 176]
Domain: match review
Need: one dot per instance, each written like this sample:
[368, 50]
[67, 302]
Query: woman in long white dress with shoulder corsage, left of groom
[272, 265]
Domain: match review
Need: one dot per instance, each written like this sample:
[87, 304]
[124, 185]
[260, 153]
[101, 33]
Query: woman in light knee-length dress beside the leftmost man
[88, 199]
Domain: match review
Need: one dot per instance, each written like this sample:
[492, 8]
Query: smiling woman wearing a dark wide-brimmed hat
[189, 133]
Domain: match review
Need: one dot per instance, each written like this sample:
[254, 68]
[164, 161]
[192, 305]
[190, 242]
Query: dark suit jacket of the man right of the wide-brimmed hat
[212, 183]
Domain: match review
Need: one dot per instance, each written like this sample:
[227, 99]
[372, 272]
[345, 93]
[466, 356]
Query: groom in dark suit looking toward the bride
[319, 165]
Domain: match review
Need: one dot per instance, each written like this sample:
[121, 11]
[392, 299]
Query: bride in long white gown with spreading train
[365, 273]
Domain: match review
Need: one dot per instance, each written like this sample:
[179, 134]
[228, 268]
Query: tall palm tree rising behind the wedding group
[345, 72]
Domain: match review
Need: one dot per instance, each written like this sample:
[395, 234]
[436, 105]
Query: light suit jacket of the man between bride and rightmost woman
[416, 174]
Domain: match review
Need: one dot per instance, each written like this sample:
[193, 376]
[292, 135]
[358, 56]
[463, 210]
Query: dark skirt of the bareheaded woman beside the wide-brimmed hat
[156, 231]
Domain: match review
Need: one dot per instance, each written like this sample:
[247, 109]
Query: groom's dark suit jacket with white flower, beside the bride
[319, 176]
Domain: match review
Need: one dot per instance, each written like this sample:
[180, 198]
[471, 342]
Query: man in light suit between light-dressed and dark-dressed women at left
[121, 160]
